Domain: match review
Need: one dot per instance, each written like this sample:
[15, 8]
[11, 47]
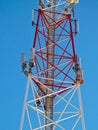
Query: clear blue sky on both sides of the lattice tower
[16, 36]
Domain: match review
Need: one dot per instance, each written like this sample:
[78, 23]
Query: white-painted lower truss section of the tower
[67, 112]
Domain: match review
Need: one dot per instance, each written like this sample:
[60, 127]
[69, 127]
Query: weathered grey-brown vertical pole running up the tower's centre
[50, 73]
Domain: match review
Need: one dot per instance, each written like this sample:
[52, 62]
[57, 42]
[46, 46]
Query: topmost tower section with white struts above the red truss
[63, 6]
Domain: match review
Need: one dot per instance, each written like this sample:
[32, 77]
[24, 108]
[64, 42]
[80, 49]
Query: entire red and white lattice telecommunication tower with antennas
[53, 98]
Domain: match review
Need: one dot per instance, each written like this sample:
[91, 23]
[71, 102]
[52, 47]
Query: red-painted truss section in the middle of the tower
[64, 52]
